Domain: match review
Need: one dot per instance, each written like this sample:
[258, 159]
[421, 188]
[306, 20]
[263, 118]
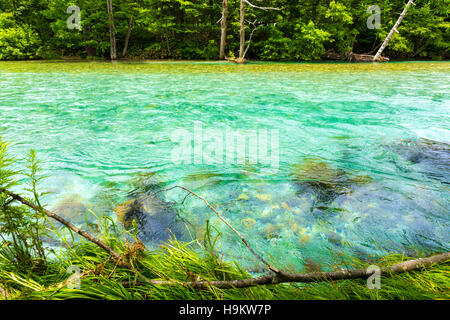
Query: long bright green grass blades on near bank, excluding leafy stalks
[102, 278]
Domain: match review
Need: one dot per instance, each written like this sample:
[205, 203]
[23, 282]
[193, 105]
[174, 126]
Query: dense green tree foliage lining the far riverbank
[179, 29]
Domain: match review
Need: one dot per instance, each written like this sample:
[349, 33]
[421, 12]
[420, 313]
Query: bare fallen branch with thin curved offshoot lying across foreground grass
[276, 276]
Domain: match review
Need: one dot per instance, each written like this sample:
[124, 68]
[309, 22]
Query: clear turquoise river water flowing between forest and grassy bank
[355, 172]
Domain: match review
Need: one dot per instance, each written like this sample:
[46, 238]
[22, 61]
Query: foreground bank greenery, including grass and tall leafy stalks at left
[32, 269]
